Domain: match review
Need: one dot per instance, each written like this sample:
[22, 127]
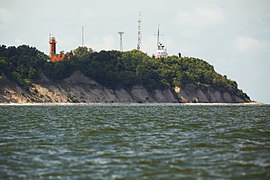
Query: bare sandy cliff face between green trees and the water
[78, 88]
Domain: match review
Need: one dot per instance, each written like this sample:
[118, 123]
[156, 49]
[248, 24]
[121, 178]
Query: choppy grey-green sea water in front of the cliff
[134, 142]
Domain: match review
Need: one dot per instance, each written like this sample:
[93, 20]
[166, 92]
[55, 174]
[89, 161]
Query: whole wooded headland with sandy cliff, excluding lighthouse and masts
[85, 76]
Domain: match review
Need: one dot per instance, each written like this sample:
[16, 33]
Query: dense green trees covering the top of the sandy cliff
[114, 69]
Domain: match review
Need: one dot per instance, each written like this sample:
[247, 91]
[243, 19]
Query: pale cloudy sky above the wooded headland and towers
[231, 35]
